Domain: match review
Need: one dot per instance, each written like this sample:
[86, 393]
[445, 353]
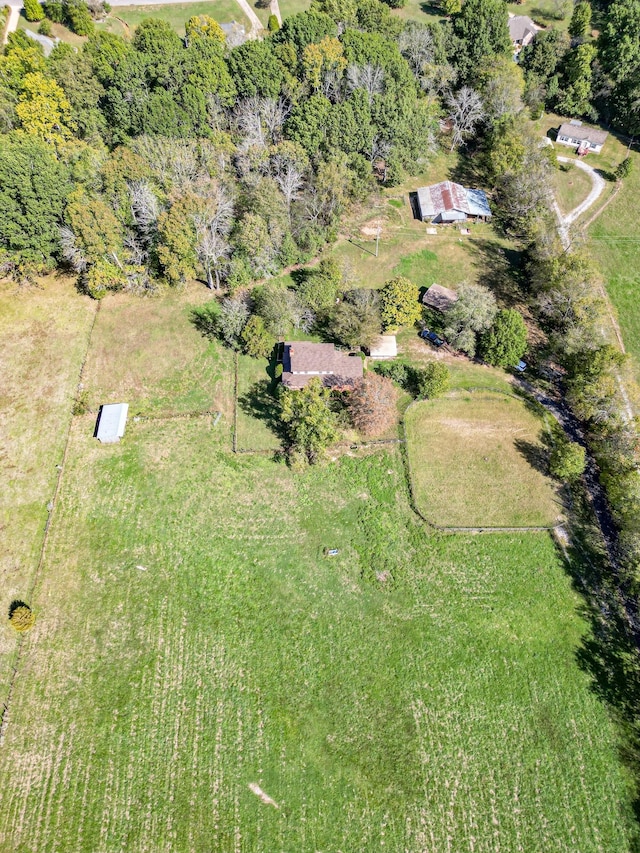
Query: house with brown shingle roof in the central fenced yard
[301, 361]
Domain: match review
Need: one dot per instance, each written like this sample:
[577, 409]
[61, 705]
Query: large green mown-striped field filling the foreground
[414, 692]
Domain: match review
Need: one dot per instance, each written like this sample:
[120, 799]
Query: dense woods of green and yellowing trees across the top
[162, 158]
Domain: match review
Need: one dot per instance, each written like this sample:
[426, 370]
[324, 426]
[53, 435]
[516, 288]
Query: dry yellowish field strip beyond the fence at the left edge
[44, 335]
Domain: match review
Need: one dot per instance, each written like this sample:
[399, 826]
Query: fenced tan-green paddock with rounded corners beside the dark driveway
[476, 461]
